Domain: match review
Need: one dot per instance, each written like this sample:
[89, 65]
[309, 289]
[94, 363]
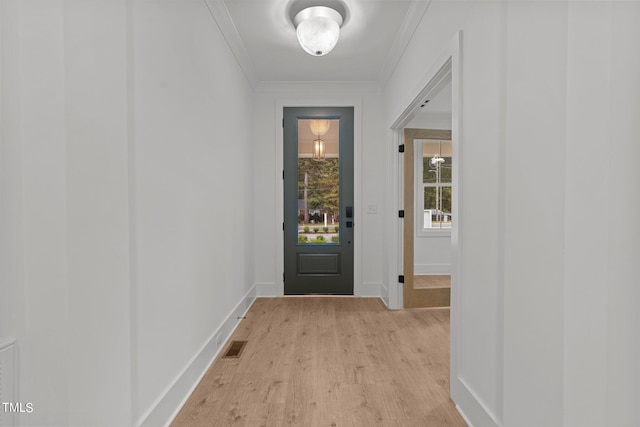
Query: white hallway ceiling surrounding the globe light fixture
[263, 39]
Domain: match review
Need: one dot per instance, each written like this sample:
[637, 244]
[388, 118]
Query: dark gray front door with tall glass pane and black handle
[318, 200]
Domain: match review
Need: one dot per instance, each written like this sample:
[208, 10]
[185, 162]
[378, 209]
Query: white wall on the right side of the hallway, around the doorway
[547, 333]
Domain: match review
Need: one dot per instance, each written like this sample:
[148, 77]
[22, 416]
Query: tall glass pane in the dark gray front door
[318, 182]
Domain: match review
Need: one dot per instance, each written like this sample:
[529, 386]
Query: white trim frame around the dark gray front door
[358, 287]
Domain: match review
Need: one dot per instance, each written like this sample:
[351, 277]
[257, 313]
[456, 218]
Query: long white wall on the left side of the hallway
[126, 194]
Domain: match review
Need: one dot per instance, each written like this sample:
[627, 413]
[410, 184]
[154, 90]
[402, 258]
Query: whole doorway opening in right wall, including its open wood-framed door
[428, 188]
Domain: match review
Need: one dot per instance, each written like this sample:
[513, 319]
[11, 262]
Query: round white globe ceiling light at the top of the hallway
[318, 29]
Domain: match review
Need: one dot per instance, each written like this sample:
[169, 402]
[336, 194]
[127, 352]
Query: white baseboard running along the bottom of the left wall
[171, 401]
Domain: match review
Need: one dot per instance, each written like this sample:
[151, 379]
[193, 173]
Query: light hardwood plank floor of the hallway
[317, 361]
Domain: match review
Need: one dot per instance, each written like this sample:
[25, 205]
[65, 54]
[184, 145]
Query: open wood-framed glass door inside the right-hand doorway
[428, 218]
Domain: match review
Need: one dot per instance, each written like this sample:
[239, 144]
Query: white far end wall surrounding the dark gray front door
[370, 179]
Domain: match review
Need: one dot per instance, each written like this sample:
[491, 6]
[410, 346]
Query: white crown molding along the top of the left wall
[220, 14]
